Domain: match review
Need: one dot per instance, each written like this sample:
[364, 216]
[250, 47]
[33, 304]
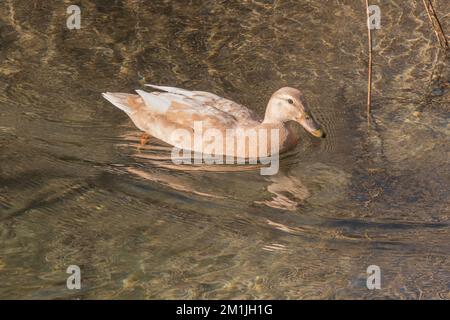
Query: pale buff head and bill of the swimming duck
[288, 104]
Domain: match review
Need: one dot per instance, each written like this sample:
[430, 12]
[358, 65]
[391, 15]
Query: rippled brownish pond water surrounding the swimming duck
[75, 189]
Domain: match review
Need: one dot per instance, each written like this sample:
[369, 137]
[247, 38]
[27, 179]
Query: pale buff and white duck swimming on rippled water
[177, 116]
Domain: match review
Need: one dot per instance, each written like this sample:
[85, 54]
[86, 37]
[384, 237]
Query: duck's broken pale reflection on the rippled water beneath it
[153, 162]
